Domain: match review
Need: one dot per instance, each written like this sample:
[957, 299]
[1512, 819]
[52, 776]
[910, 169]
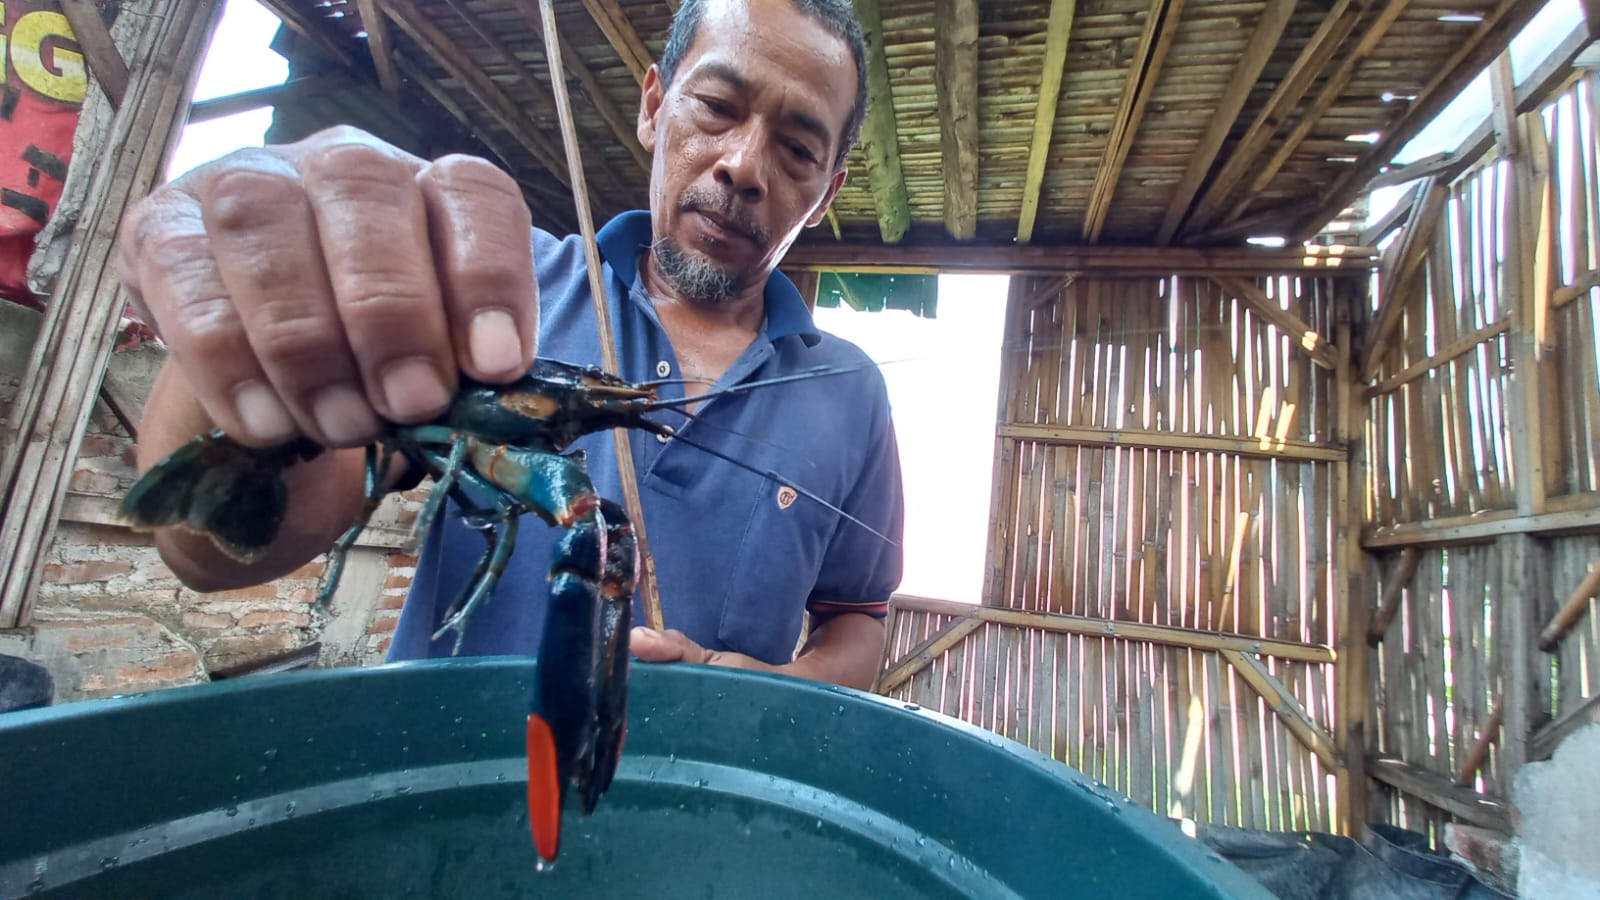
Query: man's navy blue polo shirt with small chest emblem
[740, 560]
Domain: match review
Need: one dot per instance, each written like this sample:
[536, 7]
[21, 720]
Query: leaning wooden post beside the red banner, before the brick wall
[79, 331]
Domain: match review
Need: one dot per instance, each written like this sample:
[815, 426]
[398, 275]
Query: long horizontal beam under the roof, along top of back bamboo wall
[1010, 259]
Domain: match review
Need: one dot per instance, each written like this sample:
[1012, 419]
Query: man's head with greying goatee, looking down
[745, 145]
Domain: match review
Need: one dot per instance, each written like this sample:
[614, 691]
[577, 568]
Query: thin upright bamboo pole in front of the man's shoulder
[625, 451]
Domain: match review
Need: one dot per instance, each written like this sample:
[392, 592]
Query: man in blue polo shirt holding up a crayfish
[330, 284]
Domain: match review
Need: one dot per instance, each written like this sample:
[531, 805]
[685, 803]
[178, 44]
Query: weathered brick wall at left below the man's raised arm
[111, 619]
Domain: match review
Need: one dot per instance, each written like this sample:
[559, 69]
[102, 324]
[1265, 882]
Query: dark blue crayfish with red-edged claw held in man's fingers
[508, 443]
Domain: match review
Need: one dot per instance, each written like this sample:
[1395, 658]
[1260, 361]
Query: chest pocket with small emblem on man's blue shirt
[777, 568]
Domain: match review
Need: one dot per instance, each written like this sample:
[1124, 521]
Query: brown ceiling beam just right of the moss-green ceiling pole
[956, 74]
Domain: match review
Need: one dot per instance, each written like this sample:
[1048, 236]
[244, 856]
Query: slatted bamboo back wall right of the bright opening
[1164, 548]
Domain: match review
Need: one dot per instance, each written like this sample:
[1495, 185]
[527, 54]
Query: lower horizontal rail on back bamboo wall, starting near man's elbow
[1124, 630]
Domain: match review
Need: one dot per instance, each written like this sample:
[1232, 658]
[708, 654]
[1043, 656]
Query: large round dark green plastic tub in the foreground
[410, 782]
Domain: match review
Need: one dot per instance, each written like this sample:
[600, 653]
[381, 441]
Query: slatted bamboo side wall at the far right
[1484, 440]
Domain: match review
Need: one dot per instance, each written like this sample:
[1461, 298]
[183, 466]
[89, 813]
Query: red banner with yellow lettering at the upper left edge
[44, 89]
